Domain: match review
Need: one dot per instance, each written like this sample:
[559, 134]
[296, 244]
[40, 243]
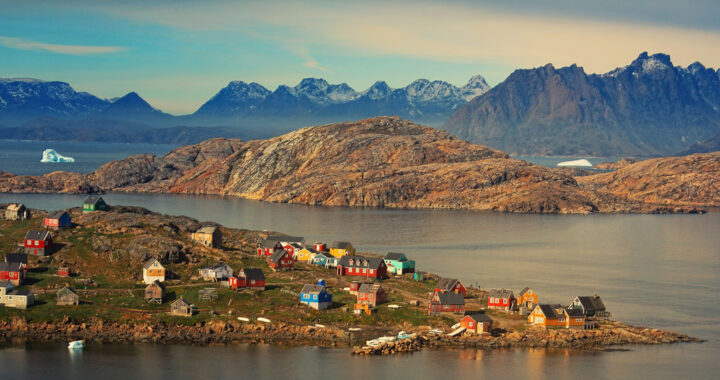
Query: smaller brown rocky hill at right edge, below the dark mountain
[678, 181]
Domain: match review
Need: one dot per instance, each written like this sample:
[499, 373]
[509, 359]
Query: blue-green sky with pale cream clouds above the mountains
[178, 54]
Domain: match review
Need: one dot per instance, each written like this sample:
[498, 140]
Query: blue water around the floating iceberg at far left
[23, 157]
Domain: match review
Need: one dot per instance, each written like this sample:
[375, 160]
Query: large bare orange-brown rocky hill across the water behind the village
[378, 162]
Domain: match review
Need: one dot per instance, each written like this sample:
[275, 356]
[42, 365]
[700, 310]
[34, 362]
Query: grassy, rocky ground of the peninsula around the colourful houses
[102, 254]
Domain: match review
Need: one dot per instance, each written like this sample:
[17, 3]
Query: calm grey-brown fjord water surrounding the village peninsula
[661, 271]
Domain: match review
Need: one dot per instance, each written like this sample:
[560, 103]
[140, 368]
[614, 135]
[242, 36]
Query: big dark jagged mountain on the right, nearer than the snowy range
[649, 107]
